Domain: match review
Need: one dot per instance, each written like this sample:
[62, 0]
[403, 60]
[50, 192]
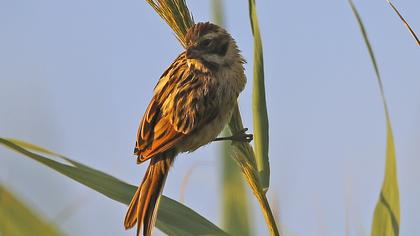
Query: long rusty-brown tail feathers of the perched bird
[143, 207]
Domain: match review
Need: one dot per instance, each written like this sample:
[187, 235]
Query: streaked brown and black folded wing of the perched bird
[183, 102]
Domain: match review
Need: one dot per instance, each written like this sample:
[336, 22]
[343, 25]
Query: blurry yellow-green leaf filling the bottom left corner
[17, 219]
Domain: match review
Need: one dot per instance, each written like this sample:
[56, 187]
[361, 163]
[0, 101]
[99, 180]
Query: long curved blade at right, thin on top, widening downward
[386, 218]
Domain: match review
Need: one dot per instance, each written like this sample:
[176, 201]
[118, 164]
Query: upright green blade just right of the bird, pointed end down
[259, 105]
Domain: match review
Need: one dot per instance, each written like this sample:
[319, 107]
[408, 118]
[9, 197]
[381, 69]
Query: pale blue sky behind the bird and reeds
[76, 77]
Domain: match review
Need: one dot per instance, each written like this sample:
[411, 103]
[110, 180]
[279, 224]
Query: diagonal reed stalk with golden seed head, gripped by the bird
[175, 12]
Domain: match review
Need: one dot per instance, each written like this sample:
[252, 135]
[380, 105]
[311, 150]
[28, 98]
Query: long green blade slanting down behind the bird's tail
[173, 217]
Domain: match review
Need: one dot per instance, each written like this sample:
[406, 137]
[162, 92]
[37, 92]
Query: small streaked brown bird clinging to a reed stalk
[192, 102]
